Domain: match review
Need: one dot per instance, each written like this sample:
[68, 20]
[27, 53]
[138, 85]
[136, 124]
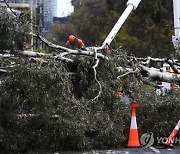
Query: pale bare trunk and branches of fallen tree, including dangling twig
[132, 65]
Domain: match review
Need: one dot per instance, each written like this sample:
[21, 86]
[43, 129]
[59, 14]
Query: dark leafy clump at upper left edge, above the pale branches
[13, 34]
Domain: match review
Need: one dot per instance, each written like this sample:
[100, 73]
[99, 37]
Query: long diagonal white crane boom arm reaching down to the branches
[131, 5]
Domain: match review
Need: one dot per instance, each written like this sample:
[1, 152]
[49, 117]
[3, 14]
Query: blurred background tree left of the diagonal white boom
[89, 22]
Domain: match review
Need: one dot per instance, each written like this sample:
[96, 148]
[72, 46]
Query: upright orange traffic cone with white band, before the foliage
[133, 133]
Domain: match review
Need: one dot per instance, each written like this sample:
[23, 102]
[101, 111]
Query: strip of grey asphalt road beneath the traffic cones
[150, 150]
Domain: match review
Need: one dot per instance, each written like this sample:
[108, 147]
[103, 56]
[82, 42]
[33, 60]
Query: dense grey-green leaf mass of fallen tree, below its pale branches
[64, 118]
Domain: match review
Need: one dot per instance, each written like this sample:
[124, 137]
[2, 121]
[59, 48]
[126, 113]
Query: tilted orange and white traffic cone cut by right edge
[170, 140]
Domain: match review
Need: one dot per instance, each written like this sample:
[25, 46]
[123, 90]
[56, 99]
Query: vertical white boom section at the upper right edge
[176, 37]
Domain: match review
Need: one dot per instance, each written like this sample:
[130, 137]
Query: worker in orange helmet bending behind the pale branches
[75, 43]
